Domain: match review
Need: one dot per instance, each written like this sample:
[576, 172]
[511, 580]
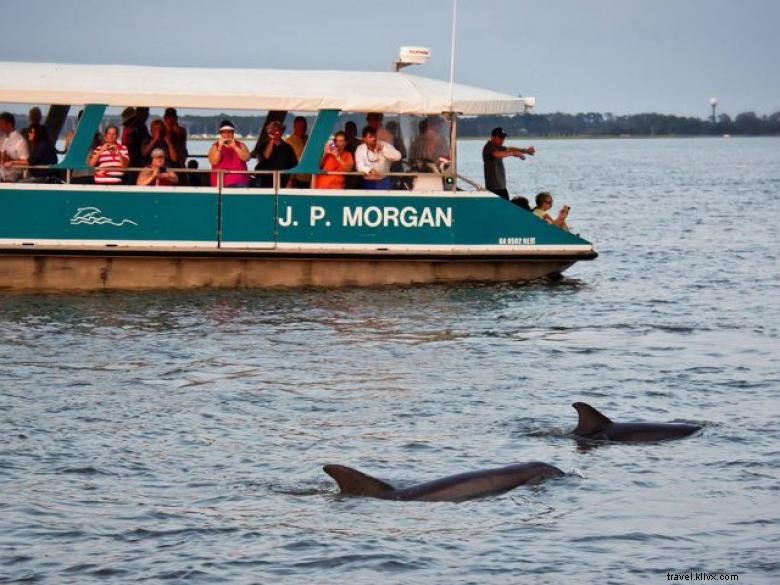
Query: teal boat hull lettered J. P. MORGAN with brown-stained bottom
[87, 237]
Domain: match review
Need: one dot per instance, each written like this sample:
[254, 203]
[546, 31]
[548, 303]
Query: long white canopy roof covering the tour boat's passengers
[244, 89]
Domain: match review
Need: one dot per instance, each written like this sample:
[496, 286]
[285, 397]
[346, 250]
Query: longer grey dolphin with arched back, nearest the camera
[454, 488]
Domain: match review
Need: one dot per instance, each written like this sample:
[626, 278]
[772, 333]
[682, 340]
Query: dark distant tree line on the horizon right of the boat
[595, 124]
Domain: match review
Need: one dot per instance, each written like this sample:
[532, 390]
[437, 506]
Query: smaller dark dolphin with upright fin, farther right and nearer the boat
[595, 426]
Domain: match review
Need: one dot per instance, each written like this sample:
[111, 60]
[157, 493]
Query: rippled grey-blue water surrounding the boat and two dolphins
[179, 437]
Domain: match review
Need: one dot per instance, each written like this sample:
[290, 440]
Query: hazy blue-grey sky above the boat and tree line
[619, 56]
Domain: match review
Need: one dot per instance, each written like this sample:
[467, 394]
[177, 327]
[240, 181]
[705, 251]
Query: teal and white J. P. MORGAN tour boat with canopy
[66, 237]
